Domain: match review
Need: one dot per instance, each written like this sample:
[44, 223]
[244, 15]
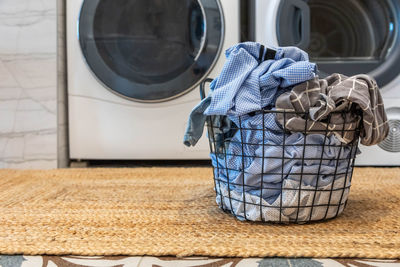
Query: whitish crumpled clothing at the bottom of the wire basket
[323, 200]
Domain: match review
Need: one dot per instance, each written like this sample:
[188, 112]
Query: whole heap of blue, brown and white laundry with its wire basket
[284, 139]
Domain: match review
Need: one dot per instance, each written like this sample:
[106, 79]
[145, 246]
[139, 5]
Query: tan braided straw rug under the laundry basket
[172, 211]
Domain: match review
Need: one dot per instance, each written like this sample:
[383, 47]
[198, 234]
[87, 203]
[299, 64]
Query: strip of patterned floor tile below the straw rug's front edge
[125, 261]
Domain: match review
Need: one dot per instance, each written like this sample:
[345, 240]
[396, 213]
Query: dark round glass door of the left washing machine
[150, 50]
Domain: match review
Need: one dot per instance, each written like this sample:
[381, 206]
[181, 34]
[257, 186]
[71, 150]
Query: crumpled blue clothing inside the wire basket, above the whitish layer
[249, 165]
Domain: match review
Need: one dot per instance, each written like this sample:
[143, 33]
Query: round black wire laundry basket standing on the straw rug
[295, 178]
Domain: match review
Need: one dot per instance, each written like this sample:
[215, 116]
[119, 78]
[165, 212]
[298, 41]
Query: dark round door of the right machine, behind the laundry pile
[346, 36]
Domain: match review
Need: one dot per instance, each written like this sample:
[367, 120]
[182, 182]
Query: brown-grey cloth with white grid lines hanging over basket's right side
[355, 95]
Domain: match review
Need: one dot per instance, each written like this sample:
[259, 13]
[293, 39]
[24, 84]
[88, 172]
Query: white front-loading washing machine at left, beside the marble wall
[134, 67]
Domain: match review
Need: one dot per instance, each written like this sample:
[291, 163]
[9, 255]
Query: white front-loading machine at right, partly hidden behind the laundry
[345, 36]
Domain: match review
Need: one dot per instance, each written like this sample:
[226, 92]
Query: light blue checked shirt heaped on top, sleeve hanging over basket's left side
[249, 81]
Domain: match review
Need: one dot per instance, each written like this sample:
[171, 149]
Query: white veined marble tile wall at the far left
[28, 84]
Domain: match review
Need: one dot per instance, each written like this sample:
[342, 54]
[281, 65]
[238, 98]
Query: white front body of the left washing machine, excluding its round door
[106, 125]
